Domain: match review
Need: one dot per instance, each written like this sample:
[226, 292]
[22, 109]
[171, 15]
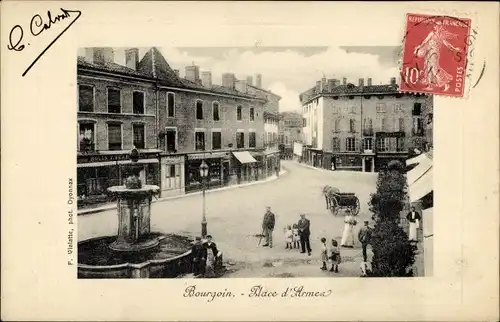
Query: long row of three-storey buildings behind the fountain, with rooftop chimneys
[174, 122]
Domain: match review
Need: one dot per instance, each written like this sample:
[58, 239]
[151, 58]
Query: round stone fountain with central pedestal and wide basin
[135, 252]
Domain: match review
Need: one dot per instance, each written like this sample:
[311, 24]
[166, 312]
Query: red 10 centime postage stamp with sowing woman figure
[435, 52]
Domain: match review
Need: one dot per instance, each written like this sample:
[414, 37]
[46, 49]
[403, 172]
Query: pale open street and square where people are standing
[234, 219]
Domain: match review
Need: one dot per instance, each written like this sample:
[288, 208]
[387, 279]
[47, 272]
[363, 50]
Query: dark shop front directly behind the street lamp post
[218, 171]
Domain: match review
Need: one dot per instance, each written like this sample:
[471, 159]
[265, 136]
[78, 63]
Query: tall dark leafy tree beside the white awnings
[393, 253]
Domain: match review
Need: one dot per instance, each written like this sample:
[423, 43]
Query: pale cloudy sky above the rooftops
[286, 71]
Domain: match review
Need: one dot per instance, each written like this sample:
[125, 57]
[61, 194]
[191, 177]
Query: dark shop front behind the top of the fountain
[97, 172]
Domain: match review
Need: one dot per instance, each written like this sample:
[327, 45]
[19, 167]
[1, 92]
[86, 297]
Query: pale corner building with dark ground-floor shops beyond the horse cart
[361, 127]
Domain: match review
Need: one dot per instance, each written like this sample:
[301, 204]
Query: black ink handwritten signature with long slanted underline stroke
[37, 26]
